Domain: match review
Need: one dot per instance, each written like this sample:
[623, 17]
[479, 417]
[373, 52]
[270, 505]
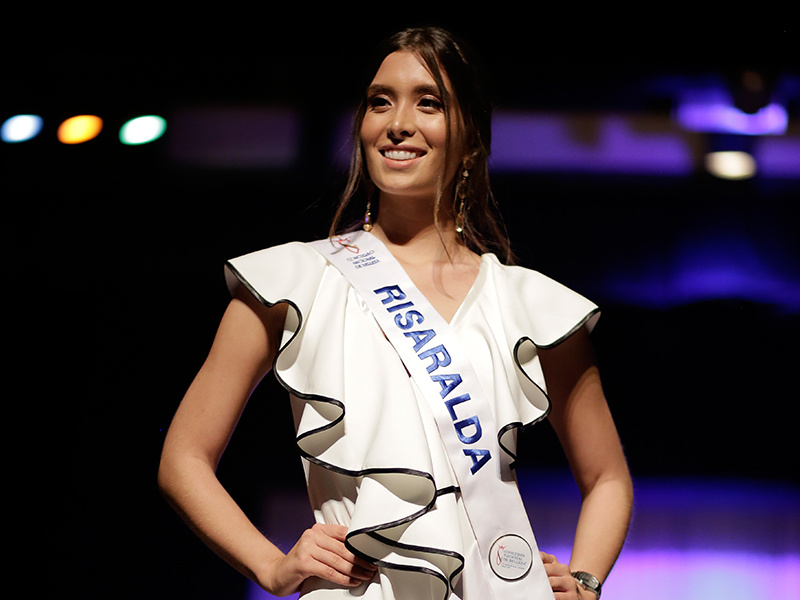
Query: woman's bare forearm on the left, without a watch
[192, 488]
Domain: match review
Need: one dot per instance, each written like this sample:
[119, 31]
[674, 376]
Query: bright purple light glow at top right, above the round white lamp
[713, 111]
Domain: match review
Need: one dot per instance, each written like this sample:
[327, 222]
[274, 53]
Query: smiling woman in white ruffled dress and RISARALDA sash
[398, 514]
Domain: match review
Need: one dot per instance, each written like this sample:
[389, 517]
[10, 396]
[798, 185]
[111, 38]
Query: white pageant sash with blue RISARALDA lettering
[512, 567]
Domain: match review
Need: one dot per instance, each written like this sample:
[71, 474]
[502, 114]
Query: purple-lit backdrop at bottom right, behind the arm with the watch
[689, 539]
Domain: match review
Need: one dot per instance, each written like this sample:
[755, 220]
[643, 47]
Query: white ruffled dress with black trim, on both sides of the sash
[372, 455]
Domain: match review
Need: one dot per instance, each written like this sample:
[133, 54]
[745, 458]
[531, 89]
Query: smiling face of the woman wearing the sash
[404, 131]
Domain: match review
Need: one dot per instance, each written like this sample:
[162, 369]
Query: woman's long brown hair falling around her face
[444, 56]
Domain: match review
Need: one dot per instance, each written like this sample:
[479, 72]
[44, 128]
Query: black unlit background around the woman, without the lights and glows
[116, 257]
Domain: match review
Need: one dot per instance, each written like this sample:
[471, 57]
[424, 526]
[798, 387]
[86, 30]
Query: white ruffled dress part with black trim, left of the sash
[373, 460]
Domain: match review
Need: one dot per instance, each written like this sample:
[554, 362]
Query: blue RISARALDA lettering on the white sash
[467, 429]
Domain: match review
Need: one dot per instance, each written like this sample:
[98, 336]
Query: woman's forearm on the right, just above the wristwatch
[602, 526]
